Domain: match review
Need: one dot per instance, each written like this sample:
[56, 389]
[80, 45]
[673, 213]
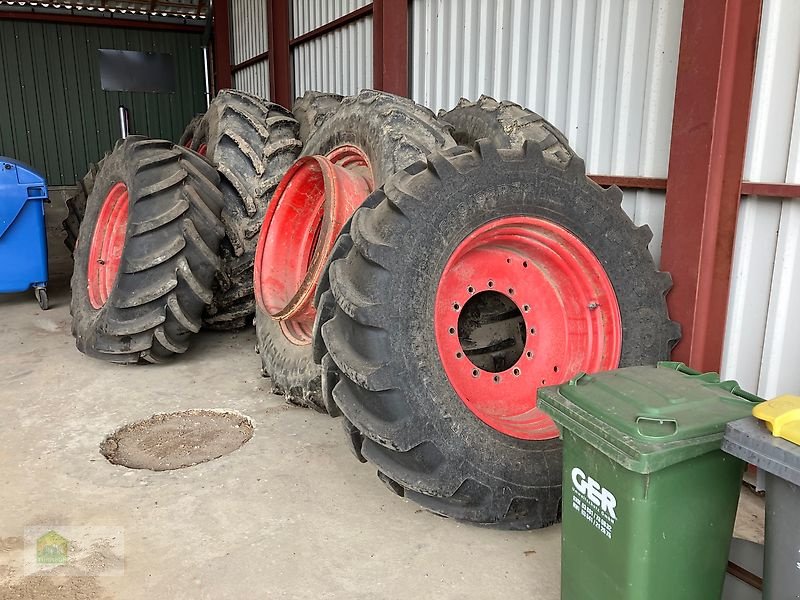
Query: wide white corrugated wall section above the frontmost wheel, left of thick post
[602, 71]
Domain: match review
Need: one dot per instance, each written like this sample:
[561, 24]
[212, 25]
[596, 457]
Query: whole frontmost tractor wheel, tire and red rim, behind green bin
[470, 281]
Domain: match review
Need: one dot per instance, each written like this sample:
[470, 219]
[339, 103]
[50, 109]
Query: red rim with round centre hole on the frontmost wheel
[551, 290]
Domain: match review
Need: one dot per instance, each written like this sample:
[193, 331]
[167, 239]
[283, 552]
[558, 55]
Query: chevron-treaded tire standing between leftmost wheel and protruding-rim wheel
[253, 142]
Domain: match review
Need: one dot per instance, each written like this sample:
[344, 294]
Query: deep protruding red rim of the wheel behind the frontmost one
[309, 208]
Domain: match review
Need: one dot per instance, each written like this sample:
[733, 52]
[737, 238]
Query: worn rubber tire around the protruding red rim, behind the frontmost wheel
[393, 132]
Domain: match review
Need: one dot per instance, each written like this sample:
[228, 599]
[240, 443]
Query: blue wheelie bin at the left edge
[23, 240]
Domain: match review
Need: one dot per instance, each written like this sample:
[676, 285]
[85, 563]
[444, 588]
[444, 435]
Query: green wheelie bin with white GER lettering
[649, 498]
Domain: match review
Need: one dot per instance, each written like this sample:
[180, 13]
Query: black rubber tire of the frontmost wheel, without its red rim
[377, 348]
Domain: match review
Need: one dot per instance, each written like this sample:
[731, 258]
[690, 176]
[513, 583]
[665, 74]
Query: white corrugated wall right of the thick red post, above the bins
[762, 344]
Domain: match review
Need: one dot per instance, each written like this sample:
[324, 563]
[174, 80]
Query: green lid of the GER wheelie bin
[648, 418]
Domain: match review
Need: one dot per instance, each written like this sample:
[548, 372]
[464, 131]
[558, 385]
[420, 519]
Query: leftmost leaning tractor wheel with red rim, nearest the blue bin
[146, 255]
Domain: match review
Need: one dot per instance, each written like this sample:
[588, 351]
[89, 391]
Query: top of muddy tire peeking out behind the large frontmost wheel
[507, 125]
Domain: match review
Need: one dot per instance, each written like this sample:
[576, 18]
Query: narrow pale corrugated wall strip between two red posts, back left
[249, 38]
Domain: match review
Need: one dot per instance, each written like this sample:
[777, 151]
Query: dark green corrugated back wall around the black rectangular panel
[53, 114]
